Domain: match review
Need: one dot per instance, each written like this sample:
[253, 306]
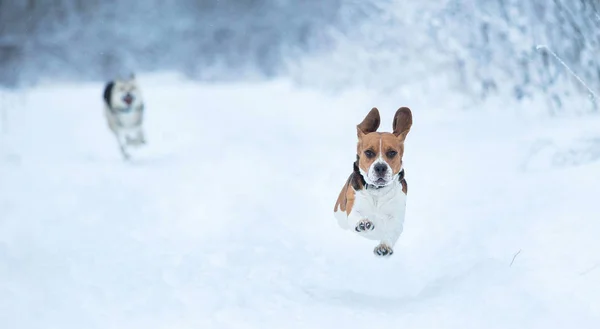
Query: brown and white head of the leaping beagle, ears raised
[380, 154]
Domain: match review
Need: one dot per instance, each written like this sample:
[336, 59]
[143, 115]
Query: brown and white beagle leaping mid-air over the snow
[372, 203]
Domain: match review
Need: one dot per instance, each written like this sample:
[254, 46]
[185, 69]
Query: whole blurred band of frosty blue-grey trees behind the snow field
[482, 47]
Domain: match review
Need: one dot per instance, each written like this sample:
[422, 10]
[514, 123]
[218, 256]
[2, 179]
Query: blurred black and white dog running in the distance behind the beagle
[124, 111]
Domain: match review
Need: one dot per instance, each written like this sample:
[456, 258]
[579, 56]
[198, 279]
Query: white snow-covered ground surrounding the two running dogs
[224, 220]
